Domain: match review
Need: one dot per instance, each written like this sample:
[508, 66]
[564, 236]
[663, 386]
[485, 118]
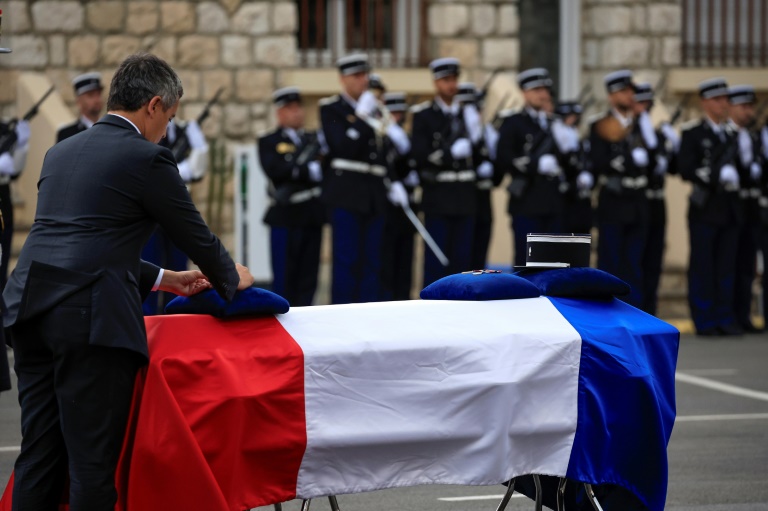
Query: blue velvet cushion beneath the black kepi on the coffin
[577, 283]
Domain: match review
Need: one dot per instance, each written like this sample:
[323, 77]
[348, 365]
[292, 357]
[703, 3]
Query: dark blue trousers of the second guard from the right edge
[711, 273]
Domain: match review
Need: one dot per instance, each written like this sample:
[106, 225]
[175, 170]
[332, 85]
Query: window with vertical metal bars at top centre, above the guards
[391, 32]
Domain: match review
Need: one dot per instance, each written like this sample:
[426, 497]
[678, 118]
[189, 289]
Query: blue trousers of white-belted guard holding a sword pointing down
[357, 240]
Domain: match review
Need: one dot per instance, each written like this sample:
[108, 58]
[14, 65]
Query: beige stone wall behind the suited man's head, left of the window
[235, 44]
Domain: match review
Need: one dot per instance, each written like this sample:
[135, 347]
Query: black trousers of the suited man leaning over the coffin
[75, 400]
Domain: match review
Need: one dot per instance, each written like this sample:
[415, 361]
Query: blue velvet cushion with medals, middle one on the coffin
[480, 286]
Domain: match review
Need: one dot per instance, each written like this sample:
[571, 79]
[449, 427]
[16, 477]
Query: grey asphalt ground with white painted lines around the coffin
[718, 453]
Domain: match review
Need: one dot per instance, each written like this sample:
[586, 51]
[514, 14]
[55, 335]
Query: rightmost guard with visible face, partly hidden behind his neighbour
[749, 165]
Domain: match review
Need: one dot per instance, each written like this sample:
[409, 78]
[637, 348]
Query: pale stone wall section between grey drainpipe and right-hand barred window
[641, 35]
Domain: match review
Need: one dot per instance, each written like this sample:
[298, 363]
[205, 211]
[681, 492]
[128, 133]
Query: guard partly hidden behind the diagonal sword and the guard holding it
[397, 255]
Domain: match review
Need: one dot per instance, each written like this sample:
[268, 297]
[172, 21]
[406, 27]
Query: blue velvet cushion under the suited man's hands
[252, 301]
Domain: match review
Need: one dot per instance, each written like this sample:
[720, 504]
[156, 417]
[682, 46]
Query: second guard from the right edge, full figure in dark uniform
[707, 158]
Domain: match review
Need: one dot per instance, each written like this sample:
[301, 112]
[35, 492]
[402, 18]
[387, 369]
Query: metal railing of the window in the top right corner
[725, 33]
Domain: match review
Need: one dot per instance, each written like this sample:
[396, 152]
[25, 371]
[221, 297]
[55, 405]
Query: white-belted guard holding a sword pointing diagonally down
[358, 137]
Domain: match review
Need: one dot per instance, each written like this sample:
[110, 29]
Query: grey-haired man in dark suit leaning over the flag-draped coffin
[74, 299]
